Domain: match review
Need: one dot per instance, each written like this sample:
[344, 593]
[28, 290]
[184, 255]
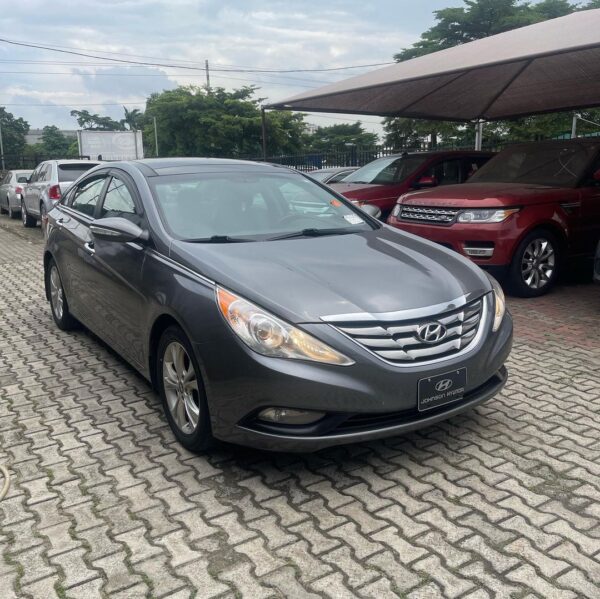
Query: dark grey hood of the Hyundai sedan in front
[304, 279]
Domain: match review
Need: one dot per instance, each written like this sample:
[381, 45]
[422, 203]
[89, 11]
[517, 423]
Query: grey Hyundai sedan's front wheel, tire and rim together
[182, 391]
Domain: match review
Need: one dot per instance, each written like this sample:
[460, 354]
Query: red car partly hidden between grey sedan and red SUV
[384, 180]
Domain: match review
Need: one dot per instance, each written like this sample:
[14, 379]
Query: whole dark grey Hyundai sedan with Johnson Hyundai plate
[239, 300]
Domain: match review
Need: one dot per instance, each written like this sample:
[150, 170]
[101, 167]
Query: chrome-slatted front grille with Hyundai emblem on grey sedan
[400, 342]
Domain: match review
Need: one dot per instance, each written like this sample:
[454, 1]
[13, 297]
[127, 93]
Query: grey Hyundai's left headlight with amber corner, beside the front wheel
[266, 334]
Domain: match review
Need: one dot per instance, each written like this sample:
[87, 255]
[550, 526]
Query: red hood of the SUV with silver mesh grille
[487, 195]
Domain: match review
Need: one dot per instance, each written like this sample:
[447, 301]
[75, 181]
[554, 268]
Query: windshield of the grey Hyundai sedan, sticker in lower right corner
[229, 206]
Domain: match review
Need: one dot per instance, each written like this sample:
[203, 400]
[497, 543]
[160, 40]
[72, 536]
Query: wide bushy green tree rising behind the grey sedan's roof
[193, 121]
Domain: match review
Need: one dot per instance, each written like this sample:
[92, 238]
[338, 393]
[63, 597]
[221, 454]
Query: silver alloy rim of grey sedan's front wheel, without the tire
[181, 387]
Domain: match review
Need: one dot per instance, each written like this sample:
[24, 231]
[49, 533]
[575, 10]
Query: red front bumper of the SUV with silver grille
[495, 242]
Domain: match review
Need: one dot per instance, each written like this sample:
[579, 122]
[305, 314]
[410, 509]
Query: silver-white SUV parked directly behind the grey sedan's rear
[47, 183]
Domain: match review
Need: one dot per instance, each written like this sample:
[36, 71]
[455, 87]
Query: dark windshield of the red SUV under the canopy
[554, 165]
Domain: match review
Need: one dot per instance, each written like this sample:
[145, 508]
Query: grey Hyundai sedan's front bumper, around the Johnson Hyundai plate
[368, 400]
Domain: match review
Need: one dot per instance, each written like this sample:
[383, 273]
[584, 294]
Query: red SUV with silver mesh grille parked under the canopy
[526, 210]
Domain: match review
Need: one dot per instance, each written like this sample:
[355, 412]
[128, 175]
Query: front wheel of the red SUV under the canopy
[534, 267]
